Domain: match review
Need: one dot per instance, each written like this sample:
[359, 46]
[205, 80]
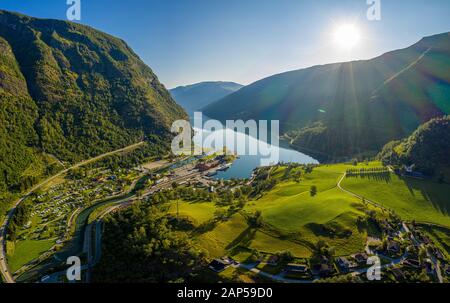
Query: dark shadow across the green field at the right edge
[436, 194]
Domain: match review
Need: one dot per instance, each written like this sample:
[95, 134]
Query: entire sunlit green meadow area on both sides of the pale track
[294, 220]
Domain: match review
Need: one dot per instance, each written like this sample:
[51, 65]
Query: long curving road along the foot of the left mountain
[4, 270]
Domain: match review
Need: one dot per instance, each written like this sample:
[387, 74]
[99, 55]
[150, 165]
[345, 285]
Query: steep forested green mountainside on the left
[73, 92]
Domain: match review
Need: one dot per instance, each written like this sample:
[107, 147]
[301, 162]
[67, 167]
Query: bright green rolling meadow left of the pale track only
[293, 220]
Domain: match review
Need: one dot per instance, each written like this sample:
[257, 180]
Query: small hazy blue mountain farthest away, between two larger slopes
[196, 96]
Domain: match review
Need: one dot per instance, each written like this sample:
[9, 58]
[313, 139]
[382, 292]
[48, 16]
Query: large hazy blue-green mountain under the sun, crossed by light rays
[353, 108]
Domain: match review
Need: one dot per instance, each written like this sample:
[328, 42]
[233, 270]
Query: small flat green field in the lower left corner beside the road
[27, 250]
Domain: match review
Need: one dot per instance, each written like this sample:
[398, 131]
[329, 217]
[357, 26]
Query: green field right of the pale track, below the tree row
[411, 199]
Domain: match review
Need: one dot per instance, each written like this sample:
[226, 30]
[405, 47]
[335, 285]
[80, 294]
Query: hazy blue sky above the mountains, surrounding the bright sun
[188, 41]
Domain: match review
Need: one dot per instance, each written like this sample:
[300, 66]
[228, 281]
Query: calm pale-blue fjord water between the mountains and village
[245, 164]
